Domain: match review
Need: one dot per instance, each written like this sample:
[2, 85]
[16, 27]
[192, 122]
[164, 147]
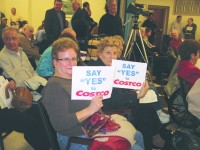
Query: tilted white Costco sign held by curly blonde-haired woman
[128, 74]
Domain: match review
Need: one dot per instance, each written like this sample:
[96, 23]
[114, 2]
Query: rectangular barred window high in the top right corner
[187, 7]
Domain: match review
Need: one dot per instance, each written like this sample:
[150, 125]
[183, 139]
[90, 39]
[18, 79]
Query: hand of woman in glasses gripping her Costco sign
[95, 104]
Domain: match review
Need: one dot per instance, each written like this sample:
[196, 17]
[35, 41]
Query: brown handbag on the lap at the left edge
[22, 98]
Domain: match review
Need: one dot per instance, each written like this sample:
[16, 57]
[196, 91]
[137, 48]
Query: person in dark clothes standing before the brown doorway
[151, 24]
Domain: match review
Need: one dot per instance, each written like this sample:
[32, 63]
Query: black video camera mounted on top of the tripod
[136, 9]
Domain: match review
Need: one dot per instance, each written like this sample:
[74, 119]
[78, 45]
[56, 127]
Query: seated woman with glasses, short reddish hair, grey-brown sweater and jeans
[68, 115]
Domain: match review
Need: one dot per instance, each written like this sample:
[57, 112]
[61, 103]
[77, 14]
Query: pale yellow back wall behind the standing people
[34, 10]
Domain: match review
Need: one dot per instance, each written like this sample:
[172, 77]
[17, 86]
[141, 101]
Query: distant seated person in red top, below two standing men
[175, 40]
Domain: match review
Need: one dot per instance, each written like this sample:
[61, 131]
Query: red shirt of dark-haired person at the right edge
[188, 71]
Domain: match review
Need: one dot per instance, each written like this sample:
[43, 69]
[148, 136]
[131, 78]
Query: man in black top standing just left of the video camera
[110, 23]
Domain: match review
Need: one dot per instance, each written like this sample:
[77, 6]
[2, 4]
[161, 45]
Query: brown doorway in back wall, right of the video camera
[161, 16]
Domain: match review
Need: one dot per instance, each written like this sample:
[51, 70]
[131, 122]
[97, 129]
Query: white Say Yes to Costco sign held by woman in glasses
[89, 81]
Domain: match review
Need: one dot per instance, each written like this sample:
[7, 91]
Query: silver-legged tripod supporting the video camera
[132, 42]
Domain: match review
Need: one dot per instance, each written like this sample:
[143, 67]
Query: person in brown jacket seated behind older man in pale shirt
[31, 51]
